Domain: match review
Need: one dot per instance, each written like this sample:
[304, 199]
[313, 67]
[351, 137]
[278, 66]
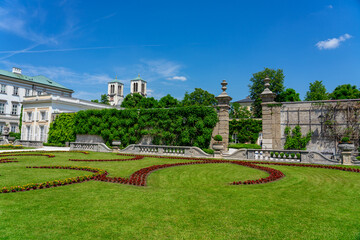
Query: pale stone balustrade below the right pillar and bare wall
[283, 156]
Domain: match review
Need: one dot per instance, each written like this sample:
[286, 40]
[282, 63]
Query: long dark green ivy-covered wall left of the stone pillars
[183, 126]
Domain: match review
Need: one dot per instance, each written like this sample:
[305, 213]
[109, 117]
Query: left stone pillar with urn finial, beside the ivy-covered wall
[222, 127]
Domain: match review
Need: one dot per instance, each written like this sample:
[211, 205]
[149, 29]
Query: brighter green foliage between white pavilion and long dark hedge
[62, 129]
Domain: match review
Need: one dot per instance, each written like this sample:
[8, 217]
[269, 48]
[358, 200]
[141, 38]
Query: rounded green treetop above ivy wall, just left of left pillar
[199, 97]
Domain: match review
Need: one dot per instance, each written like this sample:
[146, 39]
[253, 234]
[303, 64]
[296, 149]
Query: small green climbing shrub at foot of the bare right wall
[295, 141]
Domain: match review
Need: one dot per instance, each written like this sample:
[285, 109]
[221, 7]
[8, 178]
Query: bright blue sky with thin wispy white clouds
[181, 45]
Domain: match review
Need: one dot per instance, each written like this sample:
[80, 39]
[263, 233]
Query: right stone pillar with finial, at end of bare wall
[271, 126]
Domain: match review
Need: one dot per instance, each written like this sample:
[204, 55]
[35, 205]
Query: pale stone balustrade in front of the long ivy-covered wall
[162, 150]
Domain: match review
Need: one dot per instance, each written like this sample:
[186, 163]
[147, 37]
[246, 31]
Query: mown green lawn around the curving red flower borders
[185, 202]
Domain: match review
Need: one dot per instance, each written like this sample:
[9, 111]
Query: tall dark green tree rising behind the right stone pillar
[257, 86]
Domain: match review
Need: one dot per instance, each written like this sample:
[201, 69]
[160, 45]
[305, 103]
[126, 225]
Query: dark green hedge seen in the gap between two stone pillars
[247, 130]
